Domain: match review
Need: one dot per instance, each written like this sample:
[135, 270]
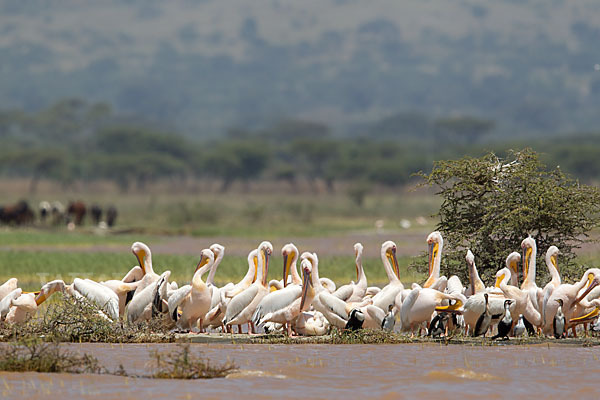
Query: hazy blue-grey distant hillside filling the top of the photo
[531, 66]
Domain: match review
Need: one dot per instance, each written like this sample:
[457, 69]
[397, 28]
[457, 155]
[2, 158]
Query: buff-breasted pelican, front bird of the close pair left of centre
[193, 300]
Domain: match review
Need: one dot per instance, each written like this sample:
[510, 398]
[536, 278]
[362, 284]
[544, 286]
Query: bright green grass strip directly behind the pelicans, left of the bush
[34, 268]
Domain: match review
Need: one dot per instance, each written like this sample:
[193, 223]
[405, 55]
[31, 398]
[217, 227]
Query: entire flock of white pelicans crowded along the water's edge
[303, 303]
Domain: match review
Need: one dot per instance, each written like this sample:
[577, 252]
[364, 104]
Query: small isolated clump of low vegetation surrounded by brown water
[182, 364]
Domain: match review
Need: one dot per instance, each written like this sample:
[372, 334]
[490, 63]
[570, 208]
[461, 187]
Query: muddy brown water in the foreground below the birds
[335, 371]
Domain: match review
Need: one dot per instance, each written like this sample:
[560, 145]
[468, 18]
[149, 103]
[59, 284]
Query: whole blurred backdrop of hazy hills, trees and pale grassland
[285, 119]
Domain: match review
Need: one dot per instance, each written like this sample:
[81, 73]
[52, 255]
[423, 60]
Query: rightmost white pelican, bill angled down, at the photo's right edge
[570, 295]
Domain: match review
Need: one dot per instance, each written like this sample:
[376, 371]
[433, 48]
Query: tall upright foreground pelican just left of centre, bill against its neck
[240, 309]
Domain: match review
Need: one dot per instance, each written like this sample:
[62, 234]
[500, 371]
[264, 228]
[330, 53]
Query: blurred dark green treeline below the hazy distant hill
[74, 140]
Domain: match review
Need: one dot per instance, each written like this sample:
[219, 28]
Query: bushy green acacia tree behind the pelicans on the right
[491, 204]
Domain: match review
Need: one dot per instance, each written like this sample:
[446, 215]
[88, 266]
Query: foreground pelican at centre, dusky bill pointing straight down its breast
[284, 306]
